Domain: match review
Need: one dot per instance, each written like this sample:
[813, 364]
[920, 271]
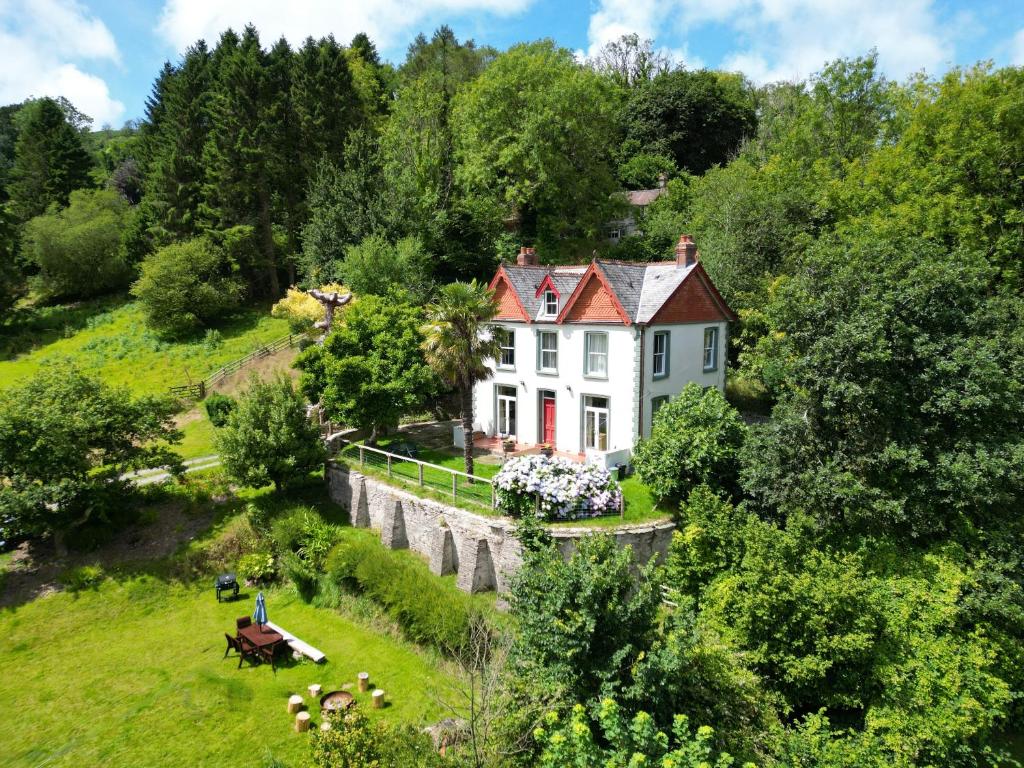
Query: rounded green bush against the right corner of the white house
[696, 440]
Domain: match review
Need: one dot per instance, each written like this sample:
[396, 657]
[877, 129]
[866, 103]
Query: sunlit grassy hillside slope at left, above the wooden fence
[110, 337]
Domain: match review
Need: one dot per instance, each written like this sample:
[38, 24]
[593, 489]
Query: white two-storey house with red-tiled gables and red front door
[589, 354]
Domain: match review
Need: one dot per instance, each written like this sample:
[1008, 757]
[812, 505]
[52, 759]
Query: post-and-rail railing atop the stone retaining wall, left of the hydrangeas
[407, 470]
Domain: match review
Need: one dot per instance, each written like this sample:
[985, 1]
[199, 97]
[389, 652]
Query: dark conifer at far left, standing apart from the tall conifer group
[50, 160]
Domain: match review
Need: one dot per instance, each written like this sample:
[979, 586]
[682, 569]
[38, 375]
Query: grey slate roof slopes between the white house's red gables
[642, 289]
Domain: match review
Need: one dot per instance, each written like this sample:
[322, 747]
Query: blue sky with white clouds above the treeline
[104, 56]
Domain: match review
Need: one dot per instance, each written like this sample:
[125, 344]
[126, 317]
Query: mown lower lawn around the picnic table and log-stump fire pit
[133, 674]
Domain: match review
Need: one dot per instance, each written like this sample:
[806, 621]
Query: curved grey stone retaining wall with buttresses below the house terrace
[481, 550]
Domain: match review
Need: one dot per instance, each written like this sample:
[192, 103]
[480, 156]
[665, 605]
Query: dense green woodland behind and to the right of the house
[846, 580]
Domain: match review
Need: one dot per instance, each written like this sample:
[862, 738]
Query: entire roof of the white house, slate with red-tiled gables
[608, 291]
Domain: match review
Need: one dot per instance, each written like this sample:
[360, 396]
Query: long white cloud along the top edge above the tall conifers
[184, 22]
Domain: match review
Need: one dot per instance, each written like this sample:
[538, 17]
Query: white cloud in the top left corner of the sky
[45, 41]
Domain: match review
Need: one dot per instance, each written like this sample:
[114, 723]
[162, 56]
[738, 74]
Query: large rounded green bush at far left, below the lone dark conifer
[78, 250]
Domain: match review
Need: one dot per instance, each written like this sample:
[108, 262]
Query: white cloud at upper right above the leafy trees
[789, 39]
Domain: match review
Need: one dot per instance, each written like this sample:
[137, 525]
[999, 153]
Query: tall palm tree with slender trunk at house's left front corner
[457, 347]
